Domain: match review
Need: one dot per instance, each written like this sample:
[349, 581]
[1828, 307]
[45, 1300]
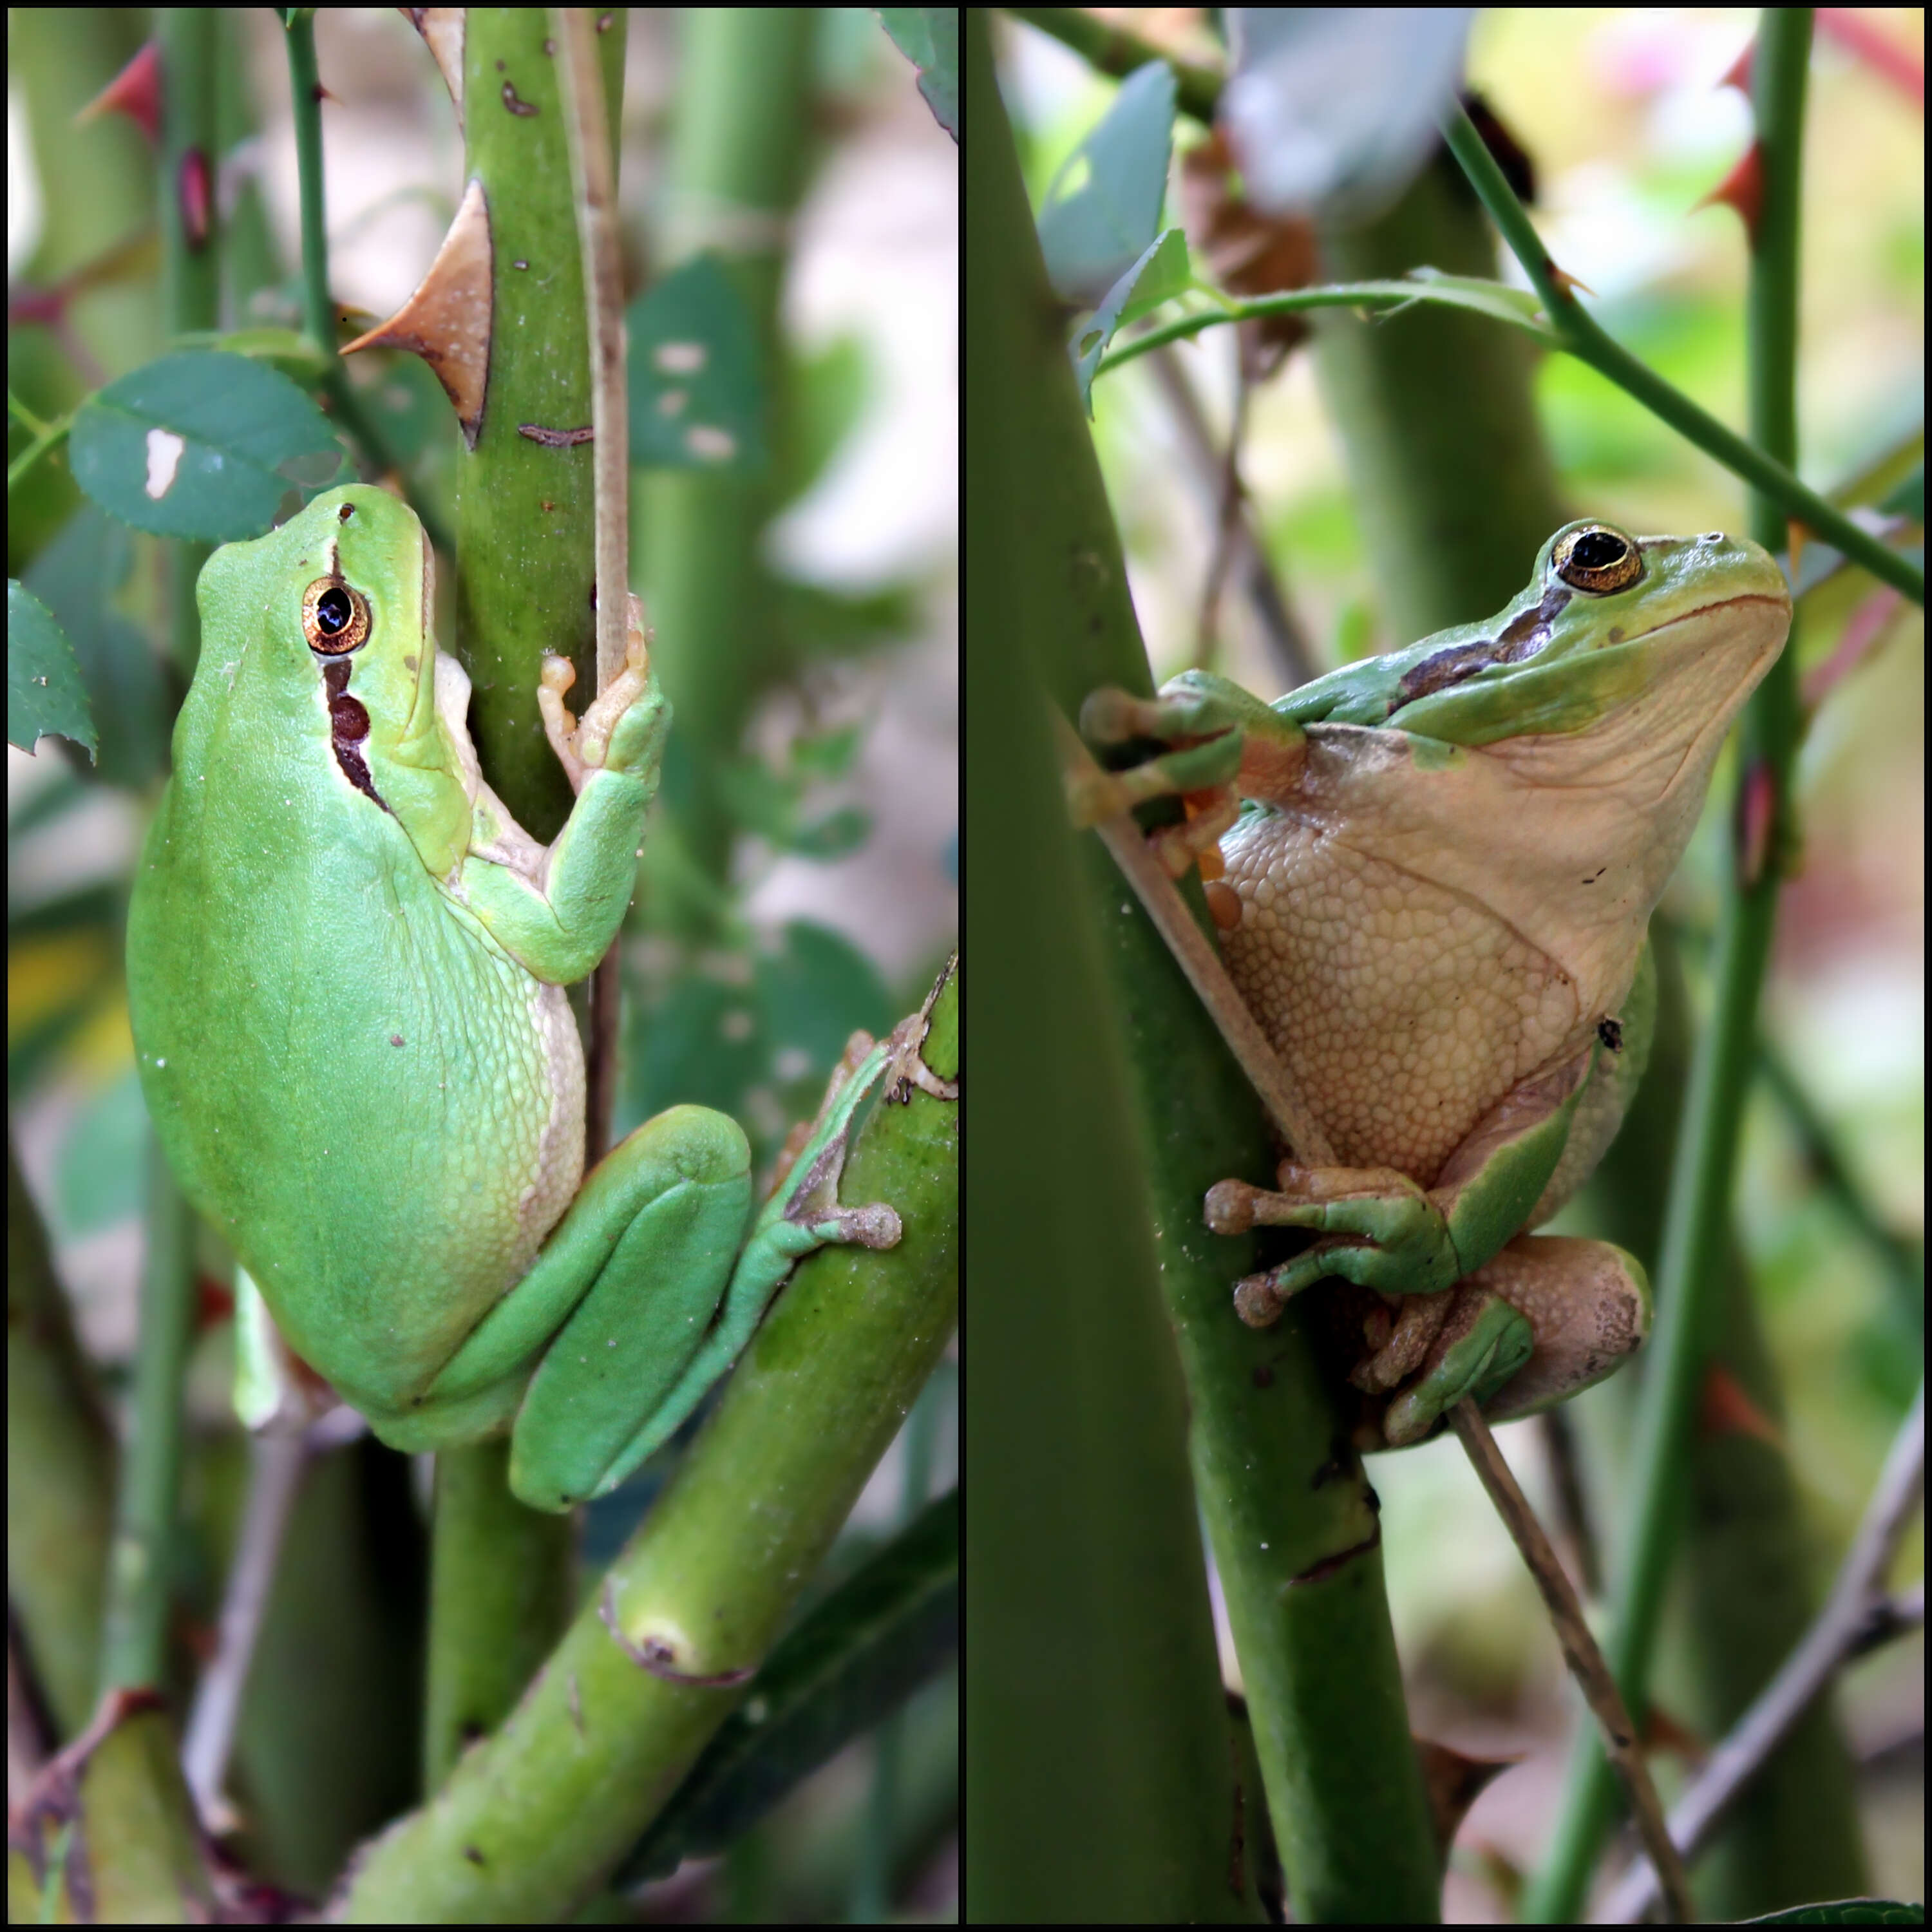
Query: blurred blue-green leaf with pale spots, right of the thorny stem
[696, 380]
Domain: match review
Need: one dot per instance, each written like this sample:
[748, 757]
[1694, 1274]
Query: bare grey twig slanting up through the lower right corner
[1838, 1634]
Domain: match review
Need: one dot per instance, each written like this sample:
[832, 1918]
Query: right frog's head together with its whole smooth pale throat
[1562, 751]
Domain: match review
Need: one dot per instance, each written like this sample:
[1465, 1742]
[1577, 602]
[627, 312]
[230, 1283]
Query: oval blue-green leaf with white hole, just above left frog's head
[200, 445]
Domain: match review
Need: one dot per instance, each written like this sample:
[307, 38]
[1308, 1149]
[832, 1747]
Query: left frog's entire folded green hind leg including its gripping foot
[648, 1292]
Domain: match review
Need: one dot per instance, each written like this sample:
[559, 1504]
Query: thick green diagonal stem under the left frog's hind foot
[534, 1819]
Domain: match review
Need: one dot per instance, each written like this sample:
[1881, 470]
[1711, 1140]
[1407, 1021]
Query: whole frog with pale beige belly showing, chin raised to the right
[1436, 903]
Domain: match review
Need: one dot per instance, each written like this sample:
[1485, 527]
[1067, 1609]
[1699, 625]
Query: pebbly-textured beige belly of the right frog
[1404, 1009]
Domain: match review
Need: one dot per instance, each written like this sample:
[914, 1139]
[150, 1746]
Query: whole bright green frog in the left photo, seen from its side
[345, 973]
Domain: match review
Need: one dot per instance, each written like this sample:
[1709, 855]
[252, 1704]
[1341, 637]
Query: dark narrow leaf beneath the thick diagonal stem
[847, 1664]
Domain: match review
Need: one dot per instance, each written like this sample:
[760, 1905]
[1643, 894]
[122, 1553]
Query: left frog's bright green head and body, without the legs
[382, 1094]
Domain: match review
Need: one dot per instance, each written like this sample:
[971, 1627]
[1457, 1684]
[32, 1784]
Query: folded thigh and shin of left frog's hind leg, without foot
[631, 1280]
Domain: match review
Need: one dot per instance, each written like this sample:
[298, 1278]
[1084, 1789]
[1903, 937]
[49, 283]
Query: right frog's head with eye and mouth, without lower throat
[1639, 648]
